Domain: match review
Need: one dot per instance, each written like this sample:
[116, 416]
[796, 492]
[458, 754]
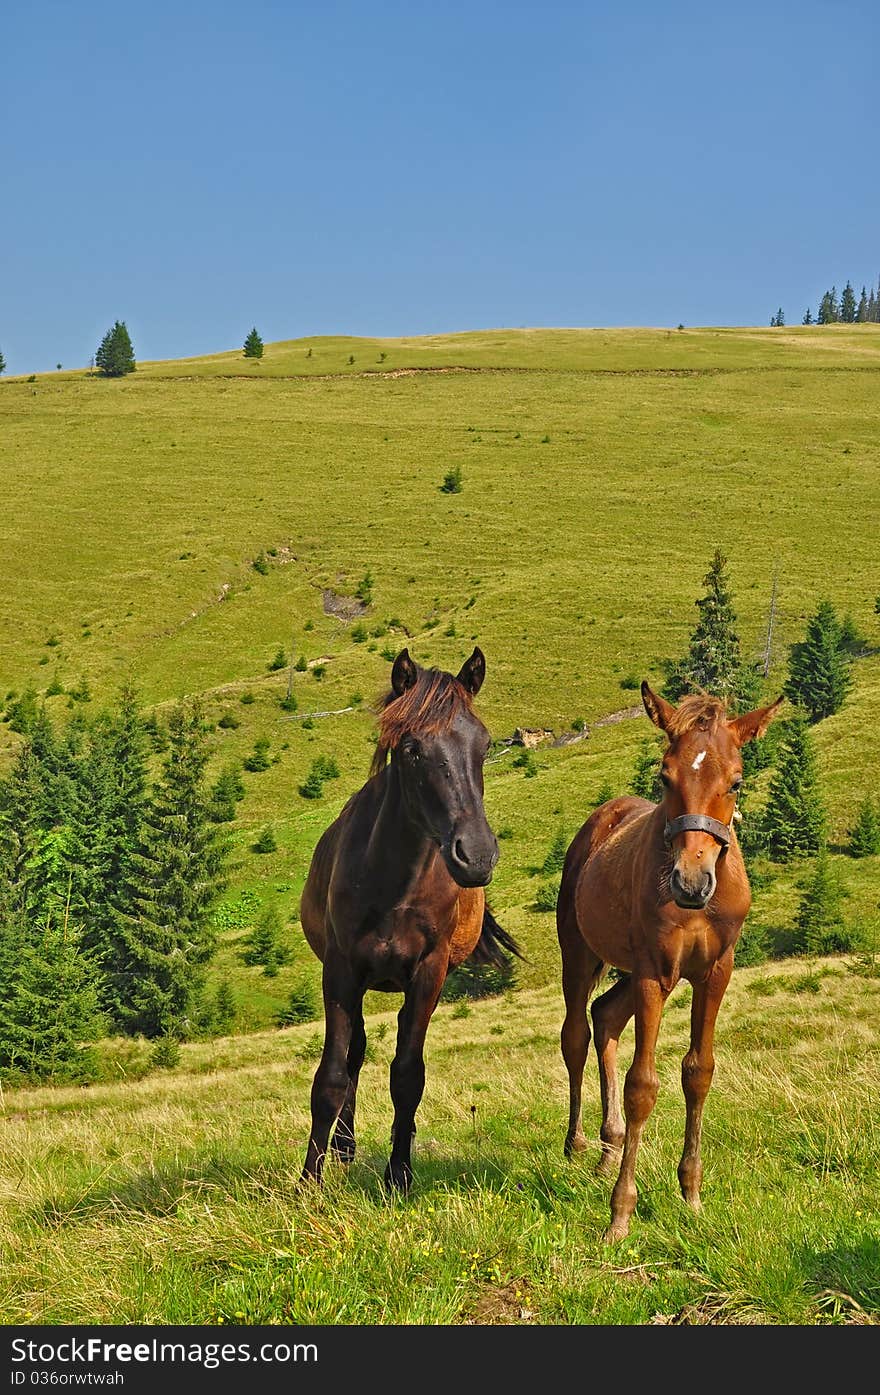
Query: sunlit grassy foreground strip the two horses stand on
[174, 1199]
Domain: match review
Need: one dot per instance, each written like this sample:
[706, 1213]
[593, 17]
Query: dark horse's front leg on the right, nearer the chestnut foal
[408, 1069]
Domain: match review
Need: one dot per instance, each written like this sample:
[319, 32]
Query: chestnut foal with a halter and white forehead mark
[662, 893]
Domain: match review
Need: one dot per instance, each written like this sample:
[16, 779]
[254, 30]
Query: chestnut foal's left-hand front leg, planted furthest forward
[639, 1099]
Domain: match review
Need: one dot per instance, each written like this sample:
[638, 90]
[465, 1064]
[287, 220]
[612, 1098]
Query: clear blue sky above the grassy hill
[402, 168]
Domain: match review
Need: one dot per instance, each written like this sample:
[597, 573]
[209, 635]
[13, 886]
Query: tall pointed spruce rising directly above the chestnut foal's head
[715, 662]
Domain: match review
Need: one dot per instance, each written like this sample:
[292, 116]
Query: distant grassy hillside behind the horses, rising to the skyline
[600, 469]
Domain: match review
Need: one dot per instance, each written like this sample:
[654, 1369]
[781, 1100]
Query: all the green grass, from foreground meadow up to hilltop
[600, 471]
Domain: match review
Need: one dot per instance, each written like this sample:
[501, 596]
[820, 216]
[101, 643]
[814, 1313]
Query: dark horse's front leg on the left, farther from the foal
[342, 1008]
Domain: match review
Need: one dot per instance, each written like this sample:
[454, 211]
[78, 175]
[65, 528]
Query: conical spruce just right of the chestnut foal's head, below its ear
[794, 820]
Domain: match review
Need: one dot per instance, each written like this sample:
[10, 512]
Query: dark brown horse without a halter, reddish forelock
[394, 898]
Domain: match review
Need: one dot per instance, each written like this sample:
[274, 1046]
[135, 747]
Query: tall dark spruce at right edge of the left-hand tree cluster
[176, 877]
